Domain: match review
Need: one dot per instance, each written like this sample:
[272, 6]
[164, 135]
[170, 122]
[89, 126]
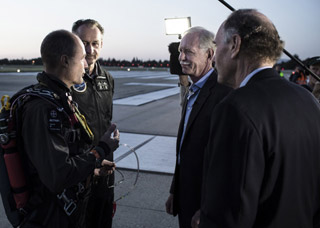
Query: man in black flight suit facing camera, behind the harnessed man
[94, 97]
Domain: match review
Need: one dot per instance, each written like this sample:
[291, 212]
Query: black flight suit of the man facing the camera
[94, 98]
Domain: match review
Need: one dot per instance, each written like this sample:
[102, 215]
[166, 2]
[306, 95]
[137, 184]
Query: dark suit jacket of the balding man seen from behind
[262, 166]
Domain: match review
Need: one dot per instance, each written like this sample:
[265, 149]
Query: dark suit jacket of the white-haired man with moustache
[186, 185]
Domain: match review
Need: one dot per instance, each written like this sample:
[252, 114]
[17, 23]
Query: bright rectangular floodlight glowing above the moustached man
[177, 26]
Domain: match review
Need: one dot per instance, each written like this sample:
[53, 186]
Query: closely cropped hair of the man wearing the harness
[56, 44]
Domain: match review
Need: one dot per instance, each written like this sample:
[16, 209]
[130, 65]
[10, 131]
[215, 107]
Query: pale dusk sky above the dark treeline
[137, 28]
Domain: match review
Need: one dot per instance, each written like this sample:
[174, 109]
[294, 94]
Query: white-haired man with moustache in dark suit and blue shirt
[196, 56]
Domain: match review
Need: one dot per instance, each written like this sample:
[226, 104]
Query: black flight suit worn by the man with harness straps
[54, 161]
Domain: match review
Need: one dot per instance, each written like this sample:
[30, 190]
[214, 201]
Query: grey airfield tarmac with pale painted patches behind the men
[147, 113]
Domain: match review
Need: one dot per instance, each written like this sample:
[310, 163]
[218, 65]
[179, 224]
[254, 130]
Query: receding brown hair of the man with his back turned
[259, 37]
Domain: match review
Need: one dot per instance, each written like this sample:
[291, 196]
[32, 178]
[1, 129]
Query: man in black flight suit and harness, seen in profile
[51, 130]
